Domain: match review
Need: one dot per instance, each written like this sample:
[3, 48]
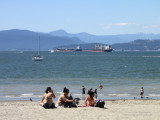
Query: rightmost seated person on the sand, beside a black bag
[90, 100]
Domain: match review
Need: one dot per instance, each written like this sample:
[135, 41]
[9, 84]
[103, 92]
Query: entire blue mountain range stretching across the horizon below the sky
[28, 40]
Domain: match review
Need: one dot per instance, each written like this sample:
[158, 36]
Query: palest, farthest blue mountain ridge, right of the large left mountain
[106, 39]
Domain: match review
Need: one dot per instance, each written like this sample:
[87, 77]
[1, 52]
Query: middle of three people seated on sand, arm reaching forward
[63, 98]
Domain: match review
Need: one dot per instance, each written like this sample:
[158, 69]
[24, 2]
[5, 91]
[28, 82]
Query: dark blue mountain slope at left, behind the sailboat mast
[28, 40]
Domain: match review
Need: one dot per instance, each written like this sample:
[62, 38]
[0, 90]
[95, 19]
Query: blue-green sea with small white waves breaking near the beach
[121, 73]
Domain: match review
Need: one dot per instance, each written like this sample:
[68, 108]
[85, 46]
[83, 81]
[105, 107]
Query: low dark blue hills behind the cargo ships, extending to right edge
[137, 45]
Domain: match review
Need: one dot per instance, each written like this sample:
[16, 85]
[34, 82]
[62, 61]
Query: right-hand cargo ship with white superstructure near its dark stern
[102, 48]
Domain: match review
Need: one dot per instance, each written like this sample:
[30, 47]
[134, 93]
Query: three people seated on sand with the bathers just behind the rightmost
[47, 102]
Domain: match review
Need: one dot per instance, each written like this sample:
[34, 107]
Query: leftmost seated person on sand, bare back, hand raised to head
[46, 101]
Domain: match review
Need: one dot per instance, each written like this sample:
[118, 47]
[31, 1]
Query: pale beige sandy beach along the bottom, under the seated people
[115, 110]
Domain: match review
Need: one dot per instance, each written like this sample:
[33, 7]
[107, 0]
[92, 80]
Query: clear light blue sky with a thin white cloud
[98, 17]
